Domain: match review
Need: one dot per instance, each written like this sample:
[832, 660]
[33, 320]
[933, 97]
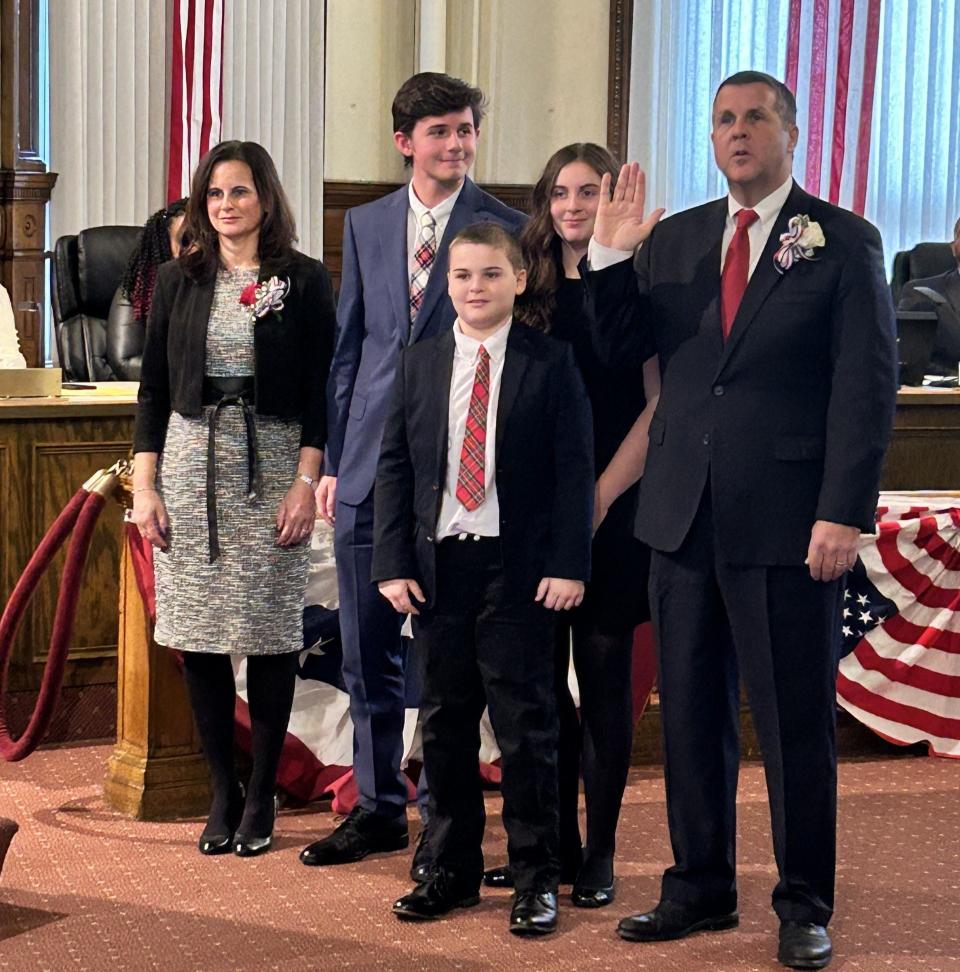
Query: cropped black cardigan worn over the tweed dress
[292, 351]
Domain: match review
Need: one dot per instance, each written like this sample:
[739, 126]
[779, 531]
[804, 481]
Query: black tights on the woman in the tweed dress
[270, 683]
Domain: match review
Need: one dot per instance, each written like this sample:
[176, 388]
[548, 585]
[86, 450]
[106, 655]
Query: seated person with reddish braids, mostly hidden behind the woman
[126, 325]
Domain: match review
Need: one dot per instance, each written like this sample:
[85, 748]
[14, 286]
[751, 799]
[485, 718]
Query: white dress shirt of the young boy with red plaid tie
[454, 518]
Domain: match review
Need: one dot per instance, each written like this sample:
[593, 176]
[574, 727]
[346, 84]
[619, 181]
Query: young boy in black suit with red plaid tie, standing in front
[482, 528]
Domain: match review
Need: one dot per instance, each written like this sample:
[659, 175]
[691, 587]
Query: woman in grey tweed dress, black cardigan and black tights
[229, 437]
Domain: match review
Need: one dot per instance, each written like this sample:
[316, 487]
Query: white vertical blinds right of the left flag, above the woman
[273, 94]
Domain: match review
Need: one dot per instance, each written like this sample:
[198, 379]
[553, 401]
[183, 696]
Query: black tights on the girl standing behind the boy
[601, 740]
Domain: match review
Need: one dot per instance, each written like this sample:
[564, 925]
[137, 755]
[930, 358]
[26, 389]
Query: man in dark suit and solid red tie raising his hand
[774, 326]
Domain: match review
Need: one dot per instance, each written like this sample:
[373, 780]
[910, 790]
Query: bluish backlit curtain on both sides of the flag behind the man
[684, 48]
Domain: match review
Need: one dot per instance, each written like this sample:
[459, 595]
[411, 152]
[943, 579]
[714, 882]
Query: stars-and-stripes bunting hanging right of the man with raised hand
[900, 674]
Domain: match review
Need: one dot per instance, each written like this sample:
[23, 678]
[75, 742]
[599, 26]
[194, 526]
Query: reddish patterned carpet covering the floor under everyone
[85, 889]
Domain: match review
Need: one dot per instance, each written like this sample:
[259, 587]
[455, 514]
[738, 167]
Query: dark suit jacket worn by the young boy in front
[544, 463]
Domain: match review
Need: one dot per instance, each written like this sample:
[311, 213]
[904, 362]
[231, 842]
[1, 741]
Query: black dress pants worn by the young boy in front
[483, 645]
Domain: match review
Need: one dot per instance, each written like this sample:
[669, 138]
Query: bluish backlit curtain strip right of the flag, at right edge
[913, 192]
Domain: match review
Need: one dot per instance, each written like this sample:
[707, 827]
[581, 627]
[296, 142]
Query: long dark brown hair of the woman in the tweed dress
[278, 231]
